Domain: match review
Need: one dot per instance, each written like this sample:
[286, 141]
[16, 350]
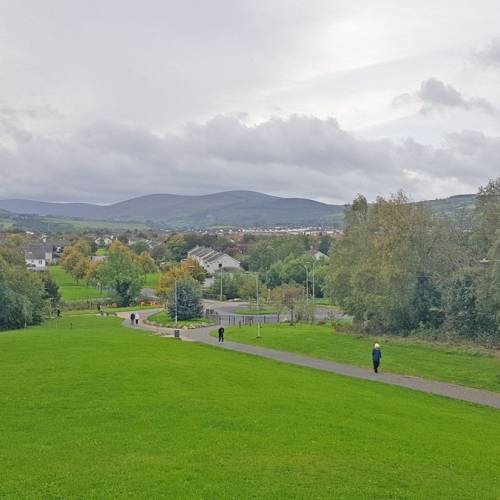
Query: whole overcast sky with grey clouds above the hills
[101, 101]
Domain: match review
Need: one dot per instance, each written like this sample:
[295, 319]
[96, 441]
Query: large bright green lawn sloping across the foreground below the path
[94, 410]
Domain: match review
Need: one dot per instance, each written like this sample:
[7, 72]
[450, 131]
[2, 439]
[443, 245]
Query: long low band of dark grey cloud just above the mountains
[296, 156]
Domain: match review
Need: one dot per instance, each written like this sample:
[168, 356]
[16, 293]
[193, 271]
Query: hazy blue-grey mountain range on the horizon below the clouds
[230, 208]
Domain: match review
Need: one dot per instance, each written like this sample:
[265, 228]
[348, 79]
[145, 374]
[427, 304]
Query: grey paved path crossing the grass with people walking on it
[477, 396]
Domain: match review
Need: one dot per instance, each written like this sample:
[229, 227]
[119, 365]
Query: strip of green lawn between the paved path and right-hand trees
[466, 366]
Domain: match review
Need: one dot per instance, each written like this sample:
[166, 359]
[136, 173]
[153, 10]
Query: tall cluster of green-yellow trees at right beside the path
[399, 268]
